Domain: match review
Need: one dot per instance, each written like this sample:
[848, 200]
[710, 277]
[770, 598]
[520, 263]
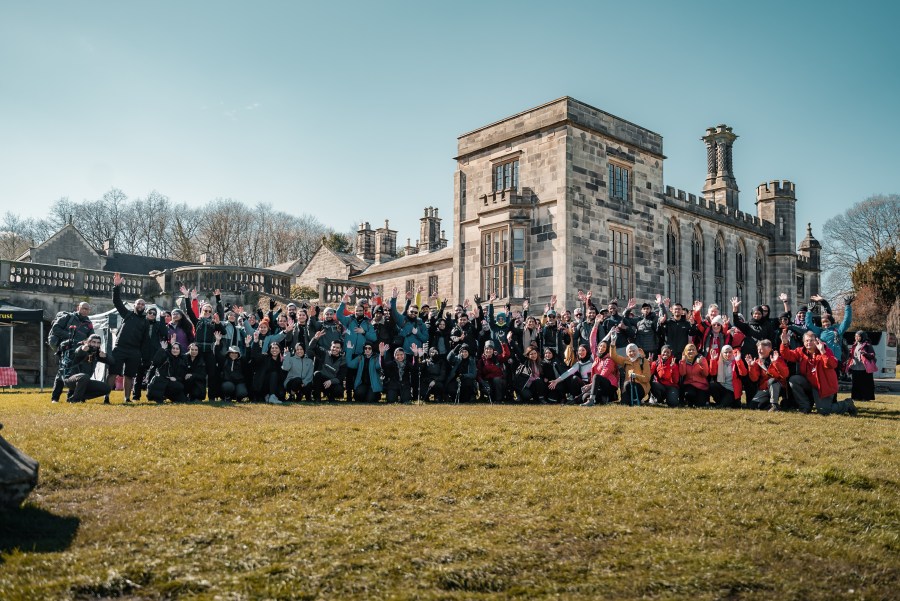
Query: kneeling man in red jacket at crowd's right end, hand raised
[816, 377]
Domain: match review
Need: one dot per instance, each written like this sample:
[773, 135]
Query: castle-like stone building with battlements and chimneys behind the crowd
[564, 197]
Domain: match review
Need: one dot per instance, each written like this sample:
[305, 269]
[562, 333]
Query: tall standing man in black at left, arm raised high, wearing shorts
[128, 350]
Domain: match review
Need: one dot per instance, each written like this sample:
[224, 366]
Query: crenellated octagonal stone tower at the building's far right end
[776, 204]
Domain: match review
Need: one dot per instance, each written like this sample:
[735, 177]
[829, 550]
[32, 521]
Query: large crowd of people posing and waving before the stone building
[376, 350]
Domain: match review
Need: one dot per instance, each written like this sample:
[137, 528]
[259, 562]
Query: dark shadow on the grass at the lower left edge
[36, 530]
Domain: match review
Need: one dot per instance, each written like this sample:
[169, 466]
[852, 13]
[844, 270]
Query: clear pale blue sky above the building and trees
[350, 110]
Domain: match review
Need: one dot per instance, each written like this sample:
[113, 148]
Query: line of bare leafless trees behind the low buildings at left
[230, 232]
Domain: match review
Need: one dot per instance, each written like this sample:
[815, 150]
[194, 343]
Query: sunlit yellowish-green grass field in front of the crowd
[444, 502]
